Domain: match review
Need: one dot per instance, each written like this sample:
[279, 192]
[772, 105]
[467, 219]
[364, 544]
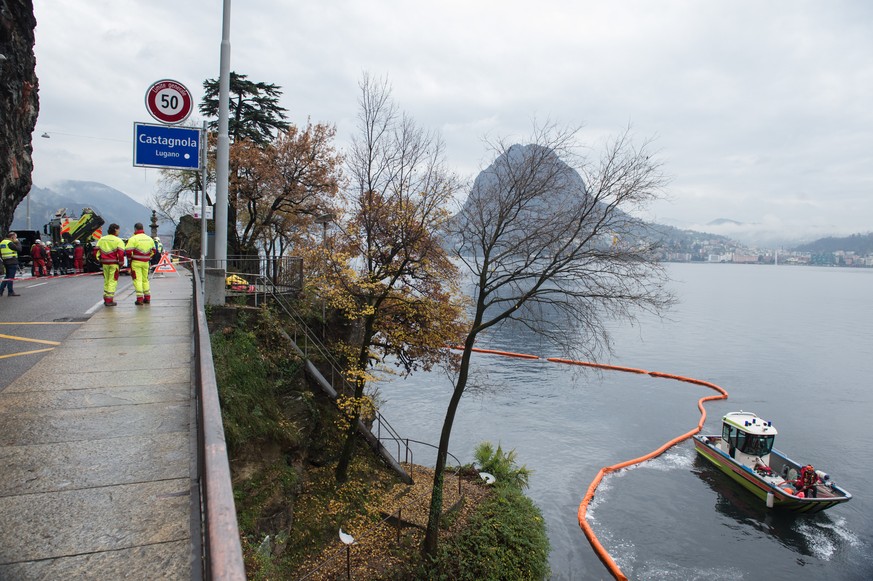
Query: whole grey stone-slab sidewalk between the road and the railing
[98, 474]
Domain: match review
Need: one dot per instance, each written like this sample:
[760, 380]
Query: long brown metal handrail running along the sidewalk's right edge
[222, 550]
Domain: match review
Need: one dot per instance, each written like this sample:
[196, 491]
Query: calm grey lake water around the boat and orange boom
[792, 344]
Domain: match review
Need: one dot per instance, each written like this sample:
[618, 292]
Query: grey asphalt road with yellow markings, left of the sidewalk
[47, 312]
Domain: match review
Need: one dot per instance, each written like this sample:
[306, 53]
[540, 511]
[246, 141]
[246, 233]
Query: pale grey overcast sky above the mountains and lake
[762, 112]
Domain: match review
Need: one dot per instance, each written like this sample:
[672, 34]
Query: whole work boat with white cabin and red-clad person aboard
[744, 451]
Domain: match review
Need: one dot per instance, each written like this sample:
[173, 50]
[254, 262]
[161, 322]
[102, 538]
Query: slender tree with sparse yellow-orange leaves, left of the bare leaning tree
[393, 278]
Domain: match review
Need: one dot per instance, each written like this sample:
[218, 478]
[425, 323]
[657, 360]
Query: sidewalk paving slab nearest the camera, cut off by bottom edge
[161, 561]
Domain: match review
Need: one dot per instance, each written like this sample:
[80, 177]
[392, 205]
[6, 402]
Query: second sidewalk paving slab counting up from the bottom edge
[108, 518]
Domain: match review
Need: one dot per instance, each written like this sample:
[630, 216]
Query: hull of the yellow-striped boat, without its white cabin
[829, 496]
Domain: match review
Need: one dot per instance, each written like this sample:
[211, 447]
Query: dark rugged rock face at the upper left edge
[19, 104]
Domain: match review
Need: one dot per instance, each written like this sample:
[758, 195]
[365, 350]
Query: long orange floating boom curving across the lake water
[602, 553]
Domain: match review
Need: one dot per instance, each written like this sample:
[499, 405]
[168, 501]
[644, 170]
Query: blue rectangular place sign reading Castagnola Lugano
[166, 147]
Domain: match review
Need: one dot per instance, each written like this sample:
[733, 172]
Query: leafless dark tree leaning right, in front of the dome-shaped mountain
[551, 242]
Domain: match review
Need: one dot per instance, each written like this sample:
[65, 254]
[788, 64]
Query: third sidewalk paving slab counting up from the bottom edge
[93, 463]
